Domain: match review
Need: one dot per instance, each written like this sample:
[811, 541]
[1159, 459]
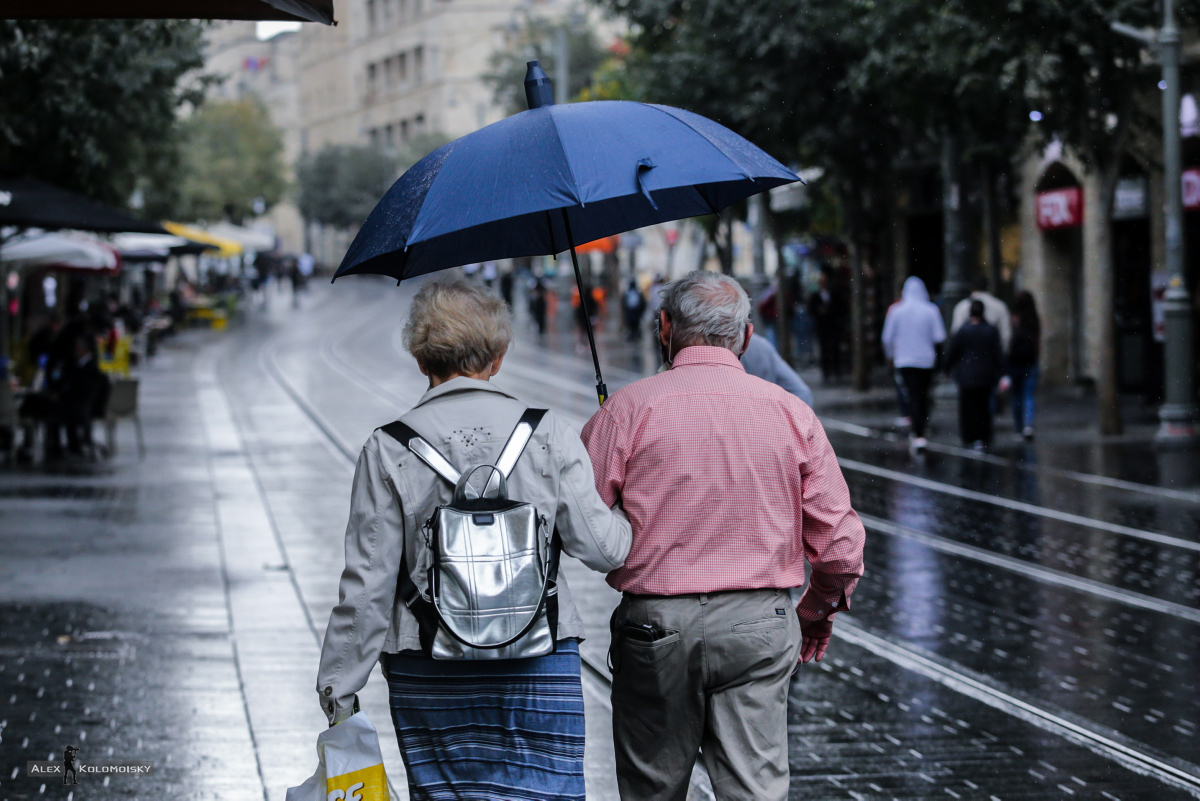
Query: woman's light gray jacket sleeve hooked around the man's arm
[591, 532]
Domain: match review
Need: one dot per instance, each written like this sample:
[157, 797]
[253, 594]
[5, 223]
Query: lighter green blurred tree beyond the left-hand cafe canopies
[232, 162]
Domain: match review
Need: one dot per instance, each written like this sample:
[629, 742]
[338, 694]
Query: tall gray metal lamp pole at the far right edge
[1178, 413]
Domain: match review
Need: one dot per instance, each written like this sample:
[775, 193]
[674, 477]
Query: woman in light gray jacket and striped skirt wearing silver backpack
[459, 514]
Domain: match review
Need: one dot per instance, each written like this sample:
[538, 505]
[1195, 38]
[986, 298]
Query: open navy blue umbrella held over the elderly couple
[555, 177]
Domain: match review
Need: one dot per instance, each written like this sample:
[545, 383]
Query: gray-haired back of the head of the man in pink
[707, 309]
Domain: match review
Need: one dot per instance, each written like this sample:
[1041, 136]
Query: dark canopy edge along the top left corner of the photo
[302, 11]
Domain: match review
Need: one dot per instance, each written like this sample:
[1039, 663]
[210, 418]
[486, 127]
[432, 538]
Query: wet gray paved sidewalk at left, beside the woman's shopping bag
[148, 613]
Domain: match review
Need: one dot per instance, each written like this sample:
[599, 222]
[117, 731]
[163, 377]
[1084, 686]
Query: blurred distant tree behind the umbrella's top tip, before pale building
[536, 38]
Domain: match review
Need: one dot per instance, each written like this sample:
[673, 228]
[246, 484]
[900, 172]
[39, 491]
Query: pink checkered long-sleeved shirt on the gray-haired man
[730, 484]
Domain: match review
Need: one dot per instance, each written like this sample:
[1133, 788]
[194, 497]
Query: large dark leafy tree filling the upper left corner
[89, 106]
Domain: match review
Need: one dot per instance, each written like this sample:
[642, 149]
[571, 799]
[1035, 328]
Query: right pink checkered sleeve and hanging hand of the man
[833, 537]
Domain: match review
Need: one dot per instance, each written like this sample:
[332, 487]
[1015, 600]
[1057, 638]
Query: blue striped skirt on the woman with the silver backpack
[505, 731]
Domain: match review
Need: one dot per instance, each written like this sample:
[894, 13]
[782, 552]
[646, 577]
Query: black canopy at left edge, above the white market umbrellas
[29, 203]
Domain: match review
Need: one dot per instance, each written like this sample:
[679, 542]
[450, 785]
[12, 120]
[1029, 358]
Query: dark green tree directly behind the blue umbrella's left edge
[340, 185]
